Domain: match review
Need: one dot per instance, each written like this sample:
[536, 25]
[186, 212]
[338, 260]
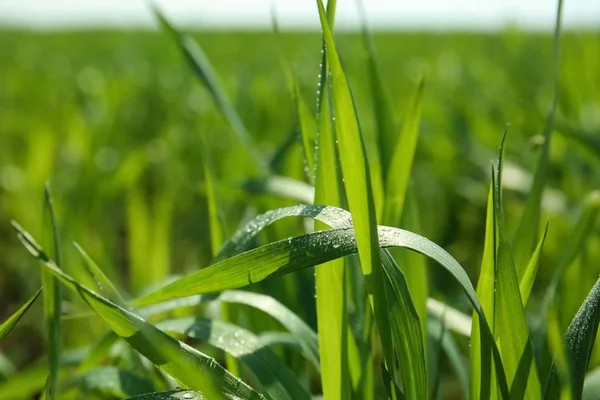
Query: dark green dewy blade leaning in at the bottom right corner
[579, 342]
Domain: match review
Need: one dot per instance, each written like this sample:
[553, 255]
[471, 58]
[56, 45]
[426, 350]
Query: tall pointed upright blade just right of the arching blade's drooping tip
[510, 324]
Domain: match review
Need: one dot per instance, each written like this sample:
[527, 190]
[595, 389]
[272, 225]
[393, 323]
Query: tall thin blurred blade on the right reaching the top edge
[527, 230]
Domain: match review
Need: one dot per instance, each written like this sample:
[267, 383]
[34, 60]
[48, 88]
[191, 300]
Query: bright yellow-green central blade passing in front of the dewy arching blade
[355, 169]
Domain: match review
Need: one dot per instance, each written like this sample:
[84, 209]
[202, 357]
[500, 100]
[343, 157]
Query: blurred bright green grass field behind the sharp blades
[118, 125]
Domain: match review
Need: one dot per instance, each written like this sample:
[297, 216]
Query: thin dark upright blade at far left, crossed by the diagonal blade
[52, 299]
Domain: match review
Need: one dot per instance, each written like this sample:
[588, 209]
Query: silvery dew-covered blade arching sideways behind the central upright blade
[295, 253]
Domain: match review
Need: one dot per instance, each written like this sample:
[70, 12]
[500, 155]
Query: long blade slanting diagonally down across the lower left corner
[185, 364]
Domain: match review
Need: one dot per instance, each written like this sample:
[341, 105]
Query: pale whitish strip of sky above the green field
[301, 14]
